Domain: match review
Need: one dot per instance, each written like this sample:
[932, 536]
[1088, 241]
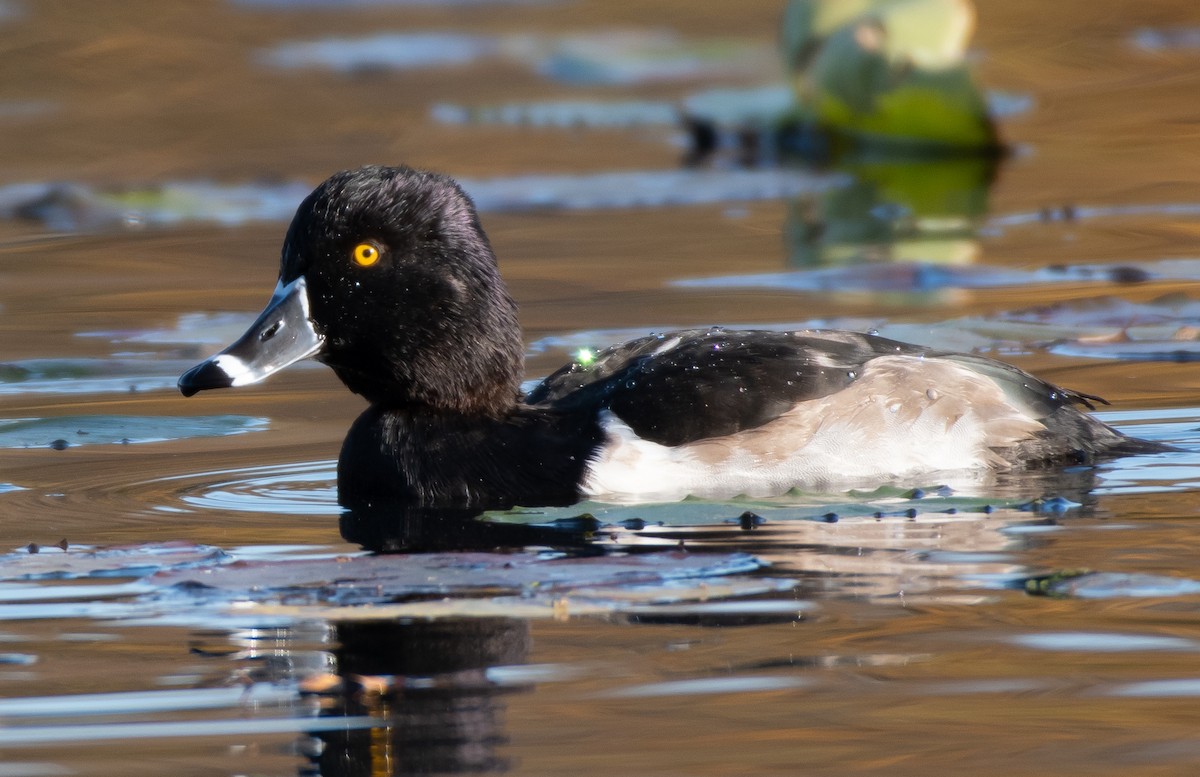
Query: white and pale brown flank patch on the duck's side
[905, 417]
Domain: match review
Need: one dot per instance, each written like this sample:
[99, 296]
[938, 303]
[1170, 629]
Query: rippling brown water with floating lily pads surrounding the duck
[1015, 627]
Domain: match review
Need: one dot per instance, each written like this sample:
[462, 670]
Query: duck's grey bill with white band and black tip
[283, 335]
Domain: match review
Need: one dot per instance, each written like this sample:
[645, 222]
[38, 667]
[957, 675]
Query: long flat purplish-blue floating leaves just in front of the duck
[357, 588]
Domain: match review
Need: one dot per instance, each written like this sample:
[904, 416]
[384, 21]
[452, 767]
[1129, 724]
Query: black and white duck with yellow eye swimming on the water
[388, 278]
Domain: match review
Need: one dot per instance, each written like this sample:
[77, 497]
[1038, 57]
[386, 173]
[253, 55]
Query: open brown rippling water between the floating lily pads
[905, 647]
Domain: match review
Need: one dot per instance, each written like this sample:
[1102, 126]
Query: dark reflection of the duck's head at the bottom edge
[428, 684]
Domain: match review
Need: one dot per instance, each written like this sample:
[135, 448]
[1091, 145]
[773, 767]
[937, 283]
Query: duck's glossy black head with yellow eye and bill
[403, 293]
